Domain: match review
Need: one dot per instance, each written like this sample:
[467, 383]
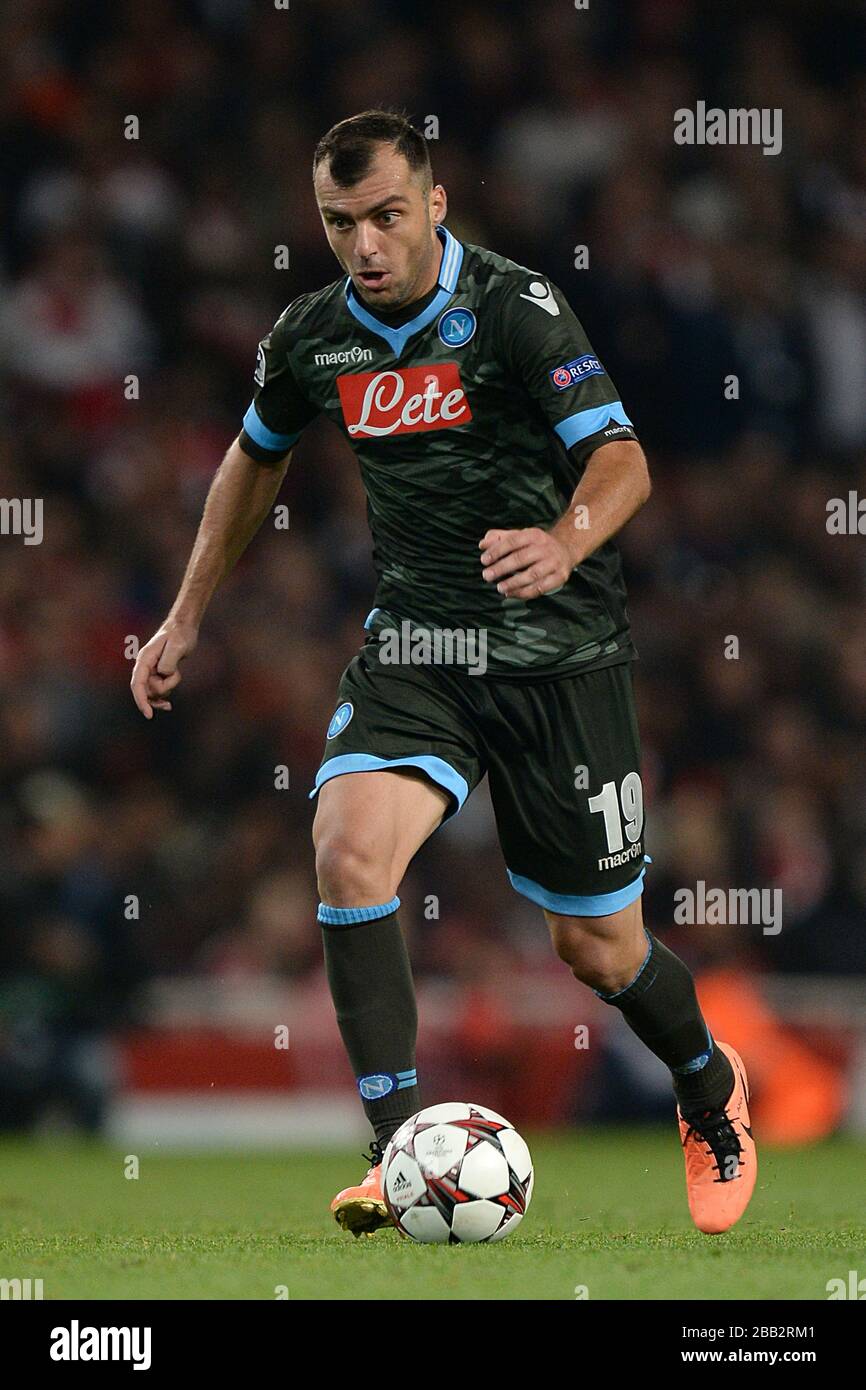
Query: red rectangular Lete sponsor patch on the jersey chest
[379, 404]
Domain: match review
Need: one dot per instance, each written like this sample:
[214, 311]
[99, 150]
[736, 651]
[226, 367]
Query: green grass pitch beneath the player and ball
[610, 1216]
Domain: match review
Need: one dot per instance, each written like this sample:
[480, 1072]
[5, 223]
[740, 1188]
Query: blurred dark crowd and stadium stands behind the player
[156, 258]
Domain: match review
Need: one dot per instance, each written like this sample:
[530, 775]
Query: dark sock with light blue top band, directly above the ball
[375, 999]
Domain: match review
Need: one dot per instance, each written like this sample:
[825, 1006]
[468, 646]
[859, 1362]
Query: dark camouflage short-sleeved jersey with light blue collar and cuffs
[479, 412]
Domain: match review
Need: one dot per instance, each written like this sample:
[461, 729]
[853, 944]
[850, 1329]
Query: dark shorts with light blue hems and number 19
[562, 758]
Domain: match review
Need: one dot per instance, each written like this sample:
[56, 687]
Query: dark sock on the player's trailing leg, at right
[662, 1008]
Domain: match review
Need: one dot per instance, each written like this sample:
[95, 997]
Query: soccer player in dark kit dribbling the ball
[498, 465]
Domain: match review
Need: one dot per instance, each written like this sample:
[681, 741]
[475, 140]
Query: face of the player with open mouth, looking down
[383, 230]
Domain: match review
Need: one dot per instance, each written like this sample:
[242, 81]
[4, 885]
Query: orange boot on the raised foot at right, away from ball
[721, 1157]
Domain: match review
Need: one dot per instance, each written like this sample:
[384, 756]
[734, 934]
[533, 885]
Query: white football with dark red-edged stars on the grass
[457, 1174]
